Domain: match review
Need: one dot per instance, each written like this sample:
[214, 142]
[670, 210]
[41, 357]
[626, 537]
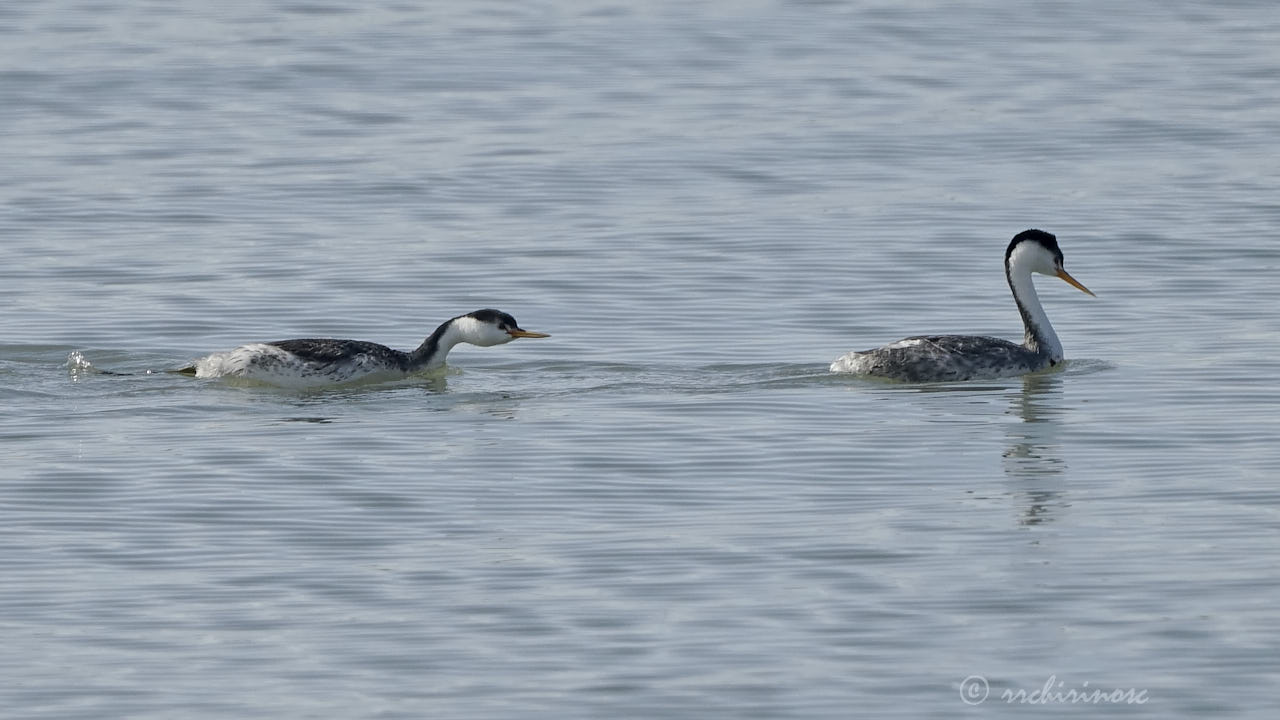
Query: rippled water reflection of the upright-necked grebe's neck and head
[1035, 455]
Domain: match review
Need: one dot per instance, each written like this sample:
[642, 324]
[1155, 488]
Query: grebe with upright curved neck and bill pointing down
[966, 358]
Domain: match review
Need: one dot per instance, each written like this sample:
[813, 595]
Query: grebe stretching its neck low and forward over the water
[310, 363]
